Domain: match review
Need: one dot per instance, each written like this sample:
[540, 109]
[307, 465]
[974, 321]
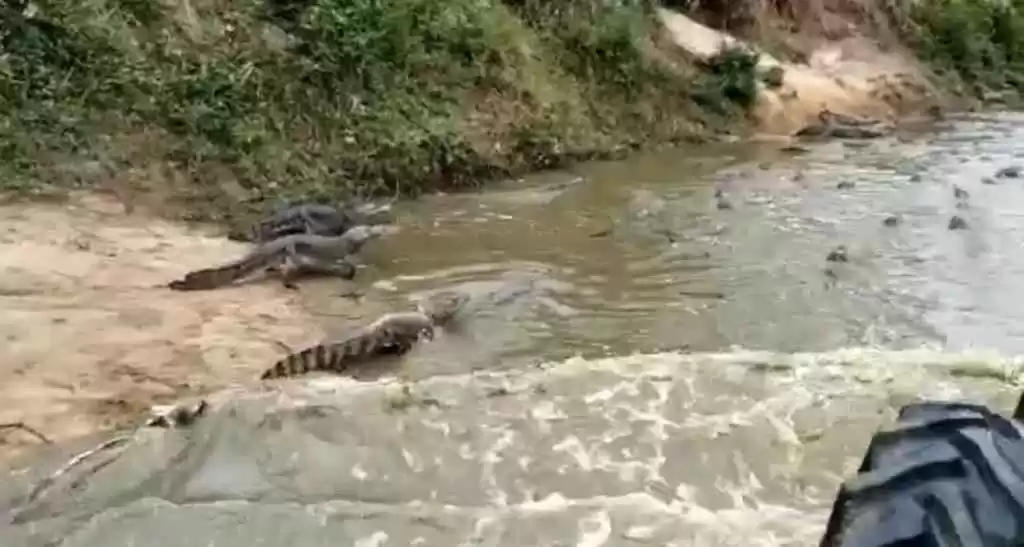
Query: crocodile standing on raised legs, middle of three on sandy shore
[290, 257]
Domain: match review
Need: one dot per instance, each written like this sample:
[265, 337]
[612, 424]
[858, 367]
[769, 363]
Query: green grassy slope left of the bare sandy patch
[218, 106]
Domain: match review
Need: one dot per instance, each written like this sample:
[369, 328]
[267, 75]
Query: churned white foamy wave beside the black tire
[737, 449]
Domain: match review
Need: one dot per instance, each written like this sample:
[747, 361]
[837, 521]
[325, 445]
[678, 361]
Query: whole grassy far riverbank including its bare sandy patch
[204, 111]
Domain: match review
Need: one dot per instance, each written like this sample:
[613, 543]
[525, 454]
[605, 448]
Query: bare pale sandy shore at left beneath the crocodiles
[94, 340]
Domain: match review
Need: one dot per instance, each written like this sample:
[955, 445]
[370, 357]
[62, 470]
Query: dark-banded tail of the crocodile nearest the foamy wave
[338, 358]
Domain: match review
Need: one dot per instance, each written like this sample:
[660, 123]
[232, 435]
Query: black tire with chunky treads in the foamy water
[946, 476]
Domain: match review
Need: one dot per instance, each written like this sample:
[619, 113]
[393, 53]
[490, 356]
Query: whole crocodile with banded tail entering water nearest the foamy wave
[393, 334]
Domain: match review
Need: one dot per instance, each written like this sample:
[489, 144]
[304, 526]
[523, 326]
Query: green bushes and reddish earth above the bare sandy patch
[977, 44]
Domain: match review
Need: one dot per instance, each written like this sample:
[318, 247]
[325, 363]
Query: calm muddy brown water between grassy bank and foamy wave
[635, 257]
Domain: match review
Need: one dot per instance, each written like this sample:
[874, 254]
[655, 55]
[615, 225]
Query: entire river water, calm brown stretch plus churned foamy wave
[650, 369]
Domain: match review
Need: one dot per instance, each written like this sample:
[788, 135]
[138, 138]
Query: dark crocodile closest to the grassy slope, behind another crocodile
[309, 218]
